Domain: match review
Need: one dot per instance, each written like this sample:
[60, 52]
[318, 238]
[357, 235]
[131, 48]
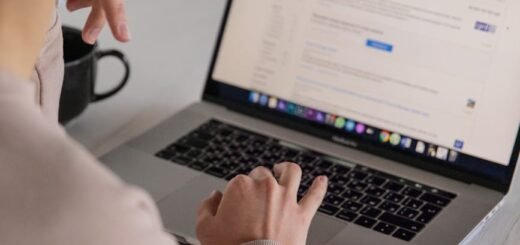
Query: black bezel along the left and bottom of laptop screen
[212, 94]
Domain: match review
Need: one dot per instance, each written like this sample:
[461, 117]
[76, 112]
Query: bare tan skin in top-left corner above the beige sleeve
[23, 26]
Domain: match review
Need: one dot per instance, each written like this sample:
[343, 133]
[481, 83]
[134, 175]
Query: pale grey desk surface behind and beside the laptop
[170, 53]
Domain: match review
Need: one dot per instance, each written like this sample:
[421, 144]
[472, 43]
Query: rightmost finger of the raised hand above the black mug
[116, 16]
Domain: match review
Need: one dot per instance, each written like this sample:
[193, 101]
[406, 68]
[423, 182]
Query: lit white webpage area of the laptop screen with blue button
[445, 72]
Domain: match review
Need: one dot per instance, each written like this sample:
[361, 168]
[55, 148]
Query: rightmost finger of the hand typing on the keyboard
[314, 196]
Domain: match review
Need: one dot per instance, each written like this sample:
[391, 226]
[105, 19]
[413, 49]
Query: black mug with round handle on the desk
[79, 82]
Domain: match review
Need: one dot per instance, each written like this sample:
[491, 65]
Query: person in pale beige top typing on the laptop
[52, 191]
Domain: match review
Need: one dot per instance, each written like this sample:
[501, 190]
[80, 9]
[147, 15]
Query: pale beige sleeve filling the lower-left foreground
[52, 192]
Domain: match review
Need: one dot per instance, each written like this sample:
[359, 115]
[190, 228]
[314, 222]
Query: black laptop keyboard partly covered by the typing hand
[356, 194]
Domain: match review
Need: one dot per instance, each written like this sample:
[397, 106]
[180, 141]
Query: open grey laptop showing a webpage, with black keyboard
[410, 108]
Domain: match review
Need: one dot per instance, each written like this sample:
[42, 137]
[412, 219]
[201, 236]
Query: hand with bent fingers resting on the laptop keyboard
[258, 207]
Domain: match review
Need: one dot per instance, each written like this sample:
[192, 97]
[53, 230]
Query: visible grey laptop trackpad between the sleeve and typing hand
[179, 209]
